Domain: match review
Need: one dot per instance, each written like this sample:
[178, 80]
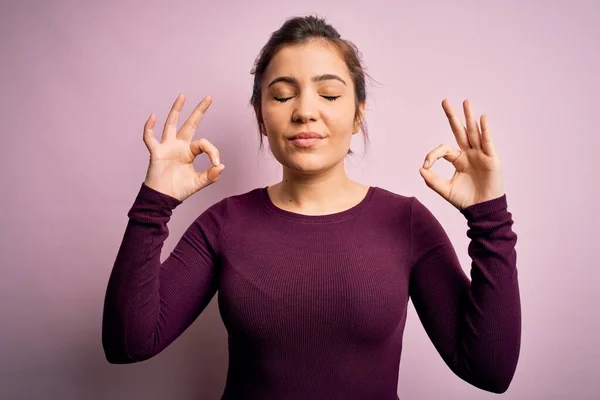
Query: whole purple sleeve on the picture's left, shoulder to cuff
[149, 304]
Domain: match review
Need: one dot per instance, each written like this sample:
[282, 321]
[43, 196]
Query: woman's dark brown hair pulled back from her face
[298, 30]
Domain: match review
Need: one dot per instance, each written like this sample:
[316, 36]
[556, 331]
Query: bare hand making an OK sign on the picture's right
[478, 175]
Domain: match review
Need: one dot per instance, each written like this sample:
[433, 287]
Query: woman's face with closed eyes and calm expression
[308, 89]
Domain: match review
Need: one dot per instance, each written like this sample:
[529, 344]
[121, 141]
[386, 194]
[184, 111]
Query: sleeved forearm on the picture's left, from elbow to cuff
[132, 302]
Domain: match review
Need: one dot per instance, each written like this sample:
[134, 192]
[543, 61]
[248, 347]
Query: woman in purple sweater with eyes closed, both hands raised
[314, 273]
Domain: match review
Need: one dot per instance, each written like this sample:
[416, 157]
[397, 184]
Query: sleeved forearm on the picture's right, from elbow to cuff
[490, 336]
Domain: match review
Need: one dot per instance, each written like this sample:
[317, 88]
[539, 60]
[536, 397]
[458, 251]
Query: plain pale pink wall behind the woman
[78, 81]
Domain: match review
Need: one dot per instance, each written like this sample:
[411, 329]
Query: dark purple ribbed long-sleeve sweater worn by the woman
[315, 306]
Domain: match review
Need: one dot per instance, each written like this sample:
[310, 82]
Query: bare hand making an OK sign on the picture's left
[171, 170]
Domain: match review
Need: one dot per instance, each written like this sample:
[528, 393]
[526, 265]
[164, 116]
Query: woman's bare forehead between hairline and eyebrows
[307, 60]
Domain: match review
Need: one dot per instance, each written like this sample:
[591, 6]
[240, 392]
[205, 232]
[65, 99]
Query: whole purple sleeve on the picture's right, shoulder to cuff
[475, 324]
